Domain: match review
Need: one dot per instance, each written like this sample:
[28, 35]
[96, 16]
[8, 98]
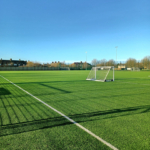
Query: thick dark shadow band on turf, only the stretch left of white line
[27, 126]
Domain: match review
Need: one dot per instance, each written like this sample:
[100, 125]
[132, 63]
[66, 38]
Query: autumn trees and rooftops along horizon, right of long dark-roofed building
[129, 63]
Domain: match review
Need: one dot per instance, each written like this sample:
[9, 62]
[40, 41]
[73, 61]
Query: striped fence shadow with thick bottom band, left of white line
[34, 115]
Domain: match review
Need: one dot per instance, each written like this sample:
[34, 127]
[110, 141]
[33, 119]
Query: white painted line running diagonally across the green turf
[77, 124]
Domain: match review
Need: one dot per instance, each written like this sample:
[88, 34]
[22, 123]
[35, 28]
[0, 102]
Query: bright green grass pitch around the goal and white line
[118, 112]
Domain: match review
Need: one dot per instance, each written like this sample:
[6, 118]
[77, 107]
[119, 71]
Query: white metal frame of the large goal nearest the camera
[103, 80]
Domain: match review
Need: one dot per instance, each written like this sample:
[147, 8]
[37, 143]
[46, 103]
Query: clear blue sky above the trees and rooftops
[63, 30]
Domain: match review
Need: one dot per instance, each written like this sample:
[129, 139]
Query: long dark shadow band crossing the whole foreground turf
[20, 127]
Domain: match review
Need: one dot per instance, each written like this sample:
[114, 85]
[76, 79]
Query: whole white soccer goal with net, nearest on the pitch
[103, 74]
